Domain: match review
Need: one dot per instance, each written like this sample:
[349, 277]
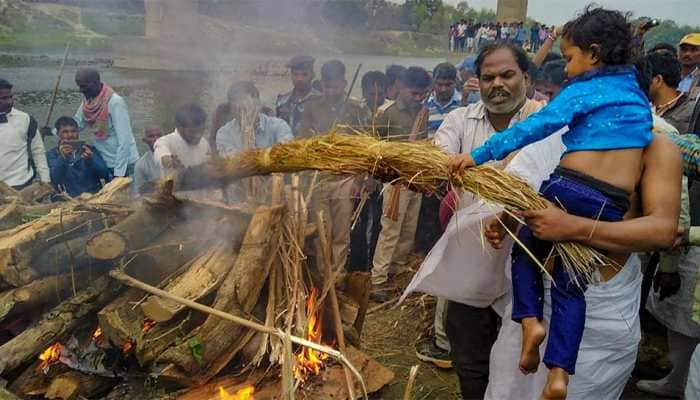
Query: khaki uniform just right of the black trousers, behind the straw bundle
[396, 238]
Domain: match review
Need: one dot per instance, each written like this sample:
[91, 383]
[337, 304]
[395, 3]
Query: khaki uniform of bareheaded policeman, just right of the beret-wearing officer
[332, 195]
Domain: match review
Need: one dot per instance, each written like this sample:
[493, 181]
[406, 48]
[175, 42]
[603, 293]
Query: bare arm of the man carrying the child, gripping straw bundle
[655, 229]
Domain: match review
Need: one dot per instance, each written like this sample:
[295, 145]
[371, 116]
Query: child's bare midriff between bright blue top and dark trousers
[620, 168]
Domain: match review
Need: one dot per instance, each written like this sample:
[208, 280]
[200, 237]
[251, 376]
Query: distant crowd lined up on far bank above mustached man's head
[469, 36]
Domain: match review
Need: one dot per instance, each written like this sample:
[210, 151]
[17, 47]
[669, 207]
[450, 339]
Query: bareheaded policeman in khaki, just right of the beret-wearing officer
[333, 195]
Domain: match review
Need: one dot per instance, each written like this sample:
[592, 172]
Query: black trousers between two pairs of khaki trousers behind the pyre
[363, 239]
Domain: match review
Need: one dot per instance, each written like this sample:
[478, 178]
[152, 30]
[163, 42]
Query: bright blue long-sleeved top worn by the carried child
[604, 109]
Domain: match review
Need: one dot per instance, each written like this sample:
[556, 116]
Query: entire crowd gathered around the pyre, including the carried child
[590, 130]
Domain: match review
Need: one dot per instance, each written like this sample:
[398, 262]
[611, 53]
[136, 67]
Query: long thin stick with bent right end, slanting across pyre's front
[129, 281]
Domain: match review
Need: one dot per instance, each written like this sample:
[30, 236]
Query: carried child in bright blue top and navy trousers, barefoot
[609, 124]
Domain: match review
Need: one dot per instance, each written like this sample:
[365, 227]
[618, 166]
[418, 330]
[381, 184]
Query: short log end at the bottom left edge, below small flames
[73, 385]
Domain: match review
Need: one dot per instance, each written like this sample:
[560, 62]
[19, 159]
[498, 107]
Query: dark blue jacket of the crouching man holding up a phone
[75, 175]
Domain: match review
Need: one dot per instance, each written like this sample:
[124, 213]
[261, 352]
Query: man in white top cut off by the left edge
[22, 155]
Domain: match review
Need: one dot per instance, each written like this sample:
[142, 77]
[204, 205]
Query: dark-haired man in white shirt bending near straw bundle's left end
[185, 147]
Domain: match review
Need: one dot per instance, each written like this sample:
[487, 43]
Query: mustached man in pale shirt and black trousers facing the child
[503, 79]
